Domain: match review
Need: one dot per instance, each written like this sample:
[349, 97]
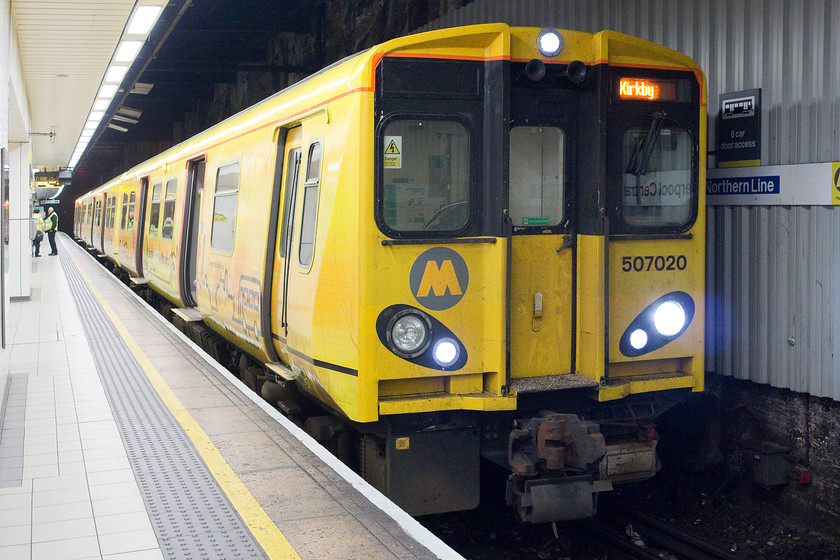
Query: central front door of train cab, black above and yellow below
[542, 259]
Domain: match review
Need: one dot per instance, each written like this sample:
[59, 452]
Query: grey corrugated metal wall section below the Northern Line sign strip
[773, 274]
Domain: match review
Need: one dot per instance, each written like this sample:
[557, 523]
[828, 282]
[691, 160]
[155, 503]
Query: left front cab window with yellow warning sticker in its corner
[426, 176]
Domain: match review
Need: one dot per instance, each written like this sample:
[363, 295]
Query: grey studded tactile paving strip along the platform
[191, 516]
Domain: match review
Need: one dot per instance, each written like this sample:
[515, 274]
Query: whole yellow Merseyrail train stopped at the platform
[476, 242]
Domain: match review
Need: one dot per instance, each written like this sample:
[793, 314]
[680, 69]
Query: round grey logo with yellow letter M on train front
[439, 278]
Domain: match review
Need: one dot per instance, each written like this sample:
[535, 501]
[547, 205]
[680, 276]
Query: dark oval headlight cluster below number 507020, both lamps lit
[658, 324]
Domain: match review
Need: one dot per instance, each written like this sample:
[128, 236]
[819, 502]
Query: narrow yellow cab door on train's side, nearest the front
[284, 252]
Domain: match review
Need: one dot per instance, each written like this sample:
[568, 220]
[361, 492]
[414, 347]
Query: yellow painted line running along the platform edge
[259, 523]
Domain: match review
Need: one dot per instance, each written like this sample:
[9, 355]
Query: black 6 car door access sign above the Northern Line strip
[739, 129]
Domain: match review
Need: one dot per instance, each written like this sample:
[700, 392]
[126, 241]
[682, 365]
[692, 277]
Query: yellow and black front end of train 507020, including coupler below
[539, 262]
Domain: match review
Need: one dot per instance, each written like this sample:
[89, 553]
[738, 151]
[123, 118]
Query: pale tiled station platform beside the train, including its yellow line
[121, 439]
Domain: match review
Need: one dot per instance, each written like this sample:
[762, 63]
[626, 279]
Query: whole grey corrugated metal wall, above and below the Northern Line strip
[773, 272]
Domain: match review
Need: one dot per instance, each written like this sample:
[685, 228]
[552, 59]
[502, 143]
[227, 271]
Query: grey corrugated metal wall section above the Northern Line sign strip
[781, 46]
